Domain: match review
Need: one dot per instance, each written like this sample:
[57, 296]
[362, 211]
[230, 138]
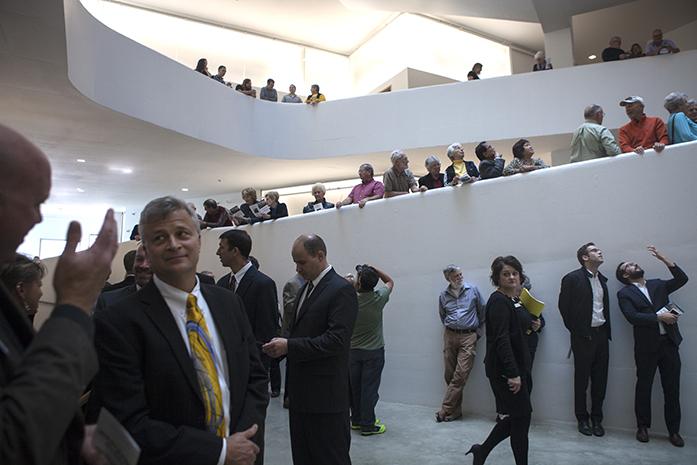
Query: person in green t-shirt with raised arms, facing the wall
[367, 357]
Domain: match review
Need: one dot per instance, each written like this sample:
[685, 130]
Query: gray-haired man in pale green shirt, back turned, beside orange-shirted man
[593, 140]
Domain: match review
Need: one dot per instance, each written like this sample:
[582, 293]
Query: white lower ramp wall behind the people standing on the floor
[622, 203]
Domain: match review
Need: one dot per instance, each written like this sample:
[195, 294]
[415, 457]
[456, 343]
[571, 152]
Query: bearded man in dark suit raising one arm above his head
[656, 340]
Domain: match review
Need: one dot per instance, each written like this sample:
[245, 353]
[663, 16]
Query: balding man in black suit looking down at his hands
[317, 351]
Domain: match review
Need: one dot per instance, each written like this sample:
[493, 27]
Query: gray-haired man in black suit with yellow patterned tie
[179, 365]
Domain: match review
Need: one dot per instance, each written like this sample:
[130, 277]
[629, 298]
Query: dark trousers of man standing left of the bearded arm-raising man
[591, 357]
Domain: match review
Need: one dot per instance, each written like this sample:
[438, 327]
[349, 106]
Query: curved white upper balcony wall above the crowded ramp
[123, 75]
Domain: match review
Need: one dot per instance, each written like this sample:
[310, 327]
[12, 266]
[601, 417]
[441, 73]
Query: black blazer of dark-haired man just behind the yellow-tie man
[258, 293]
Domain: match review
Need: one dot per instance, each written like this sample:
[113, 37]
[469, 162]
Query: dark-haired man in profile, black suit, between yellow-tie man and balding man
[257, 291]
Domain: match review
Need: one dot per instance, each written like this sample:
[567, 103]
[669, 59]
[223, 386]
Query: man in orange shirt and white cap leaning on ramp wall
[642, 132]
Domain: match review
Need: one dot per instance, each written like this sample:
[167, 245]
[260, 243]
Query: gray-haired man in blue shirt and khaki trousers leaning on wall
[461, 310]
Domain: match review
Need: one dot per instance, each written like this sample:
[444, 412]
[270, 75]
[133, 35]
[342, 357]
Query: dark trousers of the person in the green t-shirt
[366, 371]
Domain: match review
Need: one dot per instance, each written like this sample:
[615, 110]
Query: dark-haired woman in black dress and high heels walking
[507, 364]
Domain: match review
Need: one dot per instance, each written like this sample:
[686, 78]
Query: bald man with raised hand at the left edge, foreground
[43, 374]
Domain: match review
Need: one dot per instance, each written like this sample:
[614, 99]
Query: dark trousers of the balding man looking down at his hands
[319, 439]
